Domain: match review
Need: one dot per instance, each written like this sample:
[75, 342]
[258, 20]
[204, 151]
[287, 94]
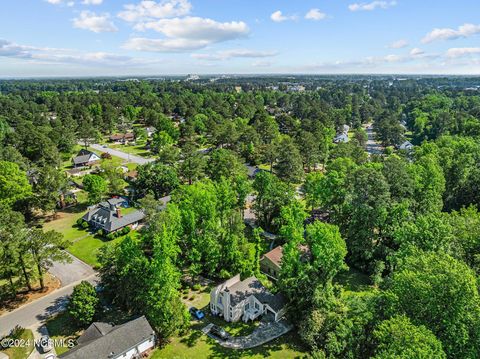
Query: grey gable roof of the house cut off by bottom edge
[118, 340]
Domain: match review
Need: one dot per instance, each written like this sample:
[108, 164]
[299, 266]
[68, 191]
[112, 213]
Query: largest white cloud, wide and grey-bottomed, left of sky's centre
[184, 34]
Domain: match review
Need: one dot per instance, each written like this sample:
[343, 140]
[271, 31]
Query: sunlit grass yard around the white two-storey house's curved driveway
[197, 345]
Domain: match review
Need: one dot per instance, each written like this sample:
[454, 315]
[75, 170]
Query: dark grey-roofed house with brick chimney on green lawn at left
[108, 216]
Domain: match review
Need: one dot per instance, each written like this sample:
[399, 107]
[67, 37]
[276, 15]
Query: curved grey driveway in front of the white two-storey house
[266, 331]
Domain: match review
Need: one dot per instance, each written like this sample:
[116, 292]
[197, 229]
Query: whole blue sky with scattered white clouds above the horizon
[134, 37]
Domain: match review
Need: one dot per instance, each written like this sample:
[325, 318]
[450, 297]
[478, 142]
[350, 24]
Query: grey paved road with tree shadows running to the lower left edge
[36, 312]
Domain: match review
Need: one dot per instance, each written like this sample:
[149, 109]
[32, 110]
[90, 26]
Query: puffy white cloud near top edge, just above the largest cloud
[147, 10]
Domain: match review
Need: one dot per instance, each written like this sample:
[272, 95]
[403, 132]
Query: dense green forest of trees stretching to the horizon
[406, 219]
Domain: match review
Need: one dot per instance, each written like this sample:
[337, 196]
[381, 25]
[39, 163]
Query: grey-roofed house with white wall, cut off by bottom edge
[104, 341]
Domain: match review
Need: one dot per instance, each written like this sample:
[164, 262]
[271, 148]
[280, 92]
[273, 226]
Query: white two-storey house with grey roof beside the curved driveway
[245, 300]
